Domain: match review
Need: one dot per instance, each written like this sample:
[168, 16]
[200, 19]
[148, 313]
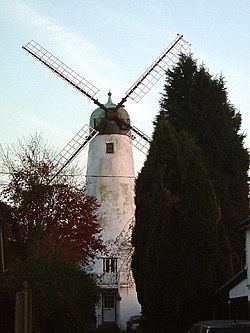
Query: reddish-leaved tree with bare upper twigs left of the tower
[56, 220]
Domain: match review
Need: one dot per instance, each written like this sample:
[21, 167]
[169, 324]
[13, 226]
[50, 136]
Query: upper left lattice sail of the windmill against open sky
[62, 70]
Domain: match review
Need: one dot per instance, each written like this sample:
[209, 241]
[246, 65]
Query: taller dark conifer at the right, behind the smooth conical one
[197, 103]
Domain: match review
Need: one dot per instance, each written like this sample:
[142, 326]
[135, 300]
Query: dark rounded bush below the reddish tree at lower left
[63, 295]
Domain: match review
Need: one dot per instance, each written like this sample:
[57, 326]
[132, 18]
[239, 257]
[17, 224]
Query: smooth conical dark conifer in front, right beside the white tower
[182, 253]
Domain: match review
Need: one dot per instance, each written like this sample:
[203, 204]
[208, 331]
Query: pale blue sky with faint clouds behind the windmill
[111, 43]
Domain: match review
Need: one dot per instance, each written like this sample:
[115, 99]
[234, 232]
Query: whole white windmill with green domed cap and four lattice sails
[110, 173]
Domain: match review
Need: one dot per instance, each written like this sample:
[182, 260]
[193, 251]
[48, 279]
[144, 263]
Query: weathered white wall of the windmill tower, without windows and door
[110, 178]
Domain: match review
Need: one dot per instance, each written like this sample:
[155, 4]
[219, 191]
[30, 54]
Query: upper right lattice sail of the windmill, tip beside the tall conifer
[153, 74]
